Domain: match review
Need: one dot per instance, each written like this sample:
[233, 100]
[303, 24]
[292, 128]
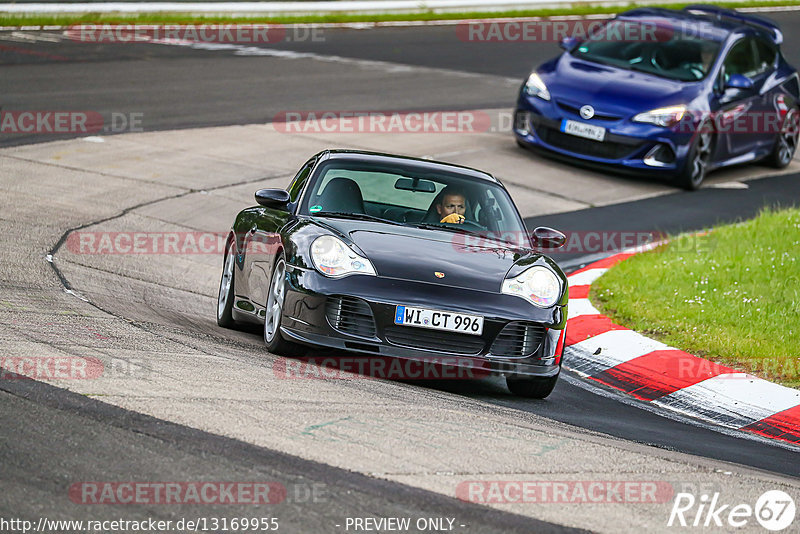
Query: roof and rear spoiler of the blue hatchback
[711, 22]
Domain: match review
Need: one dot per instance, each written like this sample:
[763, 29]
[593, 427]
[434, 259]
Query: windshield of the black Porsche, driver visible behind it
[414, 197]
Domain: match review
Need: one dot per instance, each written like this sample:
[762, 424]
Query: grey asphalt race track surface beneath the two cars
[188, 401]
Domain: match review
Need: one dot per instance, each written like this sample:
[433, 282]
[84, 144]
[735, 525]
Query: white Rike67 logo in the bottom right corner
[774, 510]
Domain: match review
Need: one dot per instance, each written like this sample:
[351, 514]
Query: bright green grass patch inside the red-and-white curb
[732, 295]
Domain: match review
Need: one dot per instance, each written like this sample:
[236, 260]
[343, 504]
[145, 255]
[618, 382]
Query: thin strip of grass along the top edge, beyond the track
[65, 19]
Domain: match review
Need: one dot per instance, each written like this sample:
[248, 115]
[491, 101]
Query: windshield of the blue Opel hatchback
[674, 51]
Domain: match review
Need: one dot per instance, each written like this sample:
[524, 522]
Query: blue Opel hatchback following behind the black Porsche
[666, 92]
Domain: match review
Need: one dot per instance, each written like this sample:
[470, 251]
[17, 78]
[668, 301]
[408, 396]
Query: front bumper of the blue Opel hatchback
[637, 147]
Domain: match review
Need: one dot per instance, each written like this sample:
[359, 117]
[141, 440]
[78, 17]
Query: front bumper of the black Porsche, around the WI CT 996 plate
[308, 317]
